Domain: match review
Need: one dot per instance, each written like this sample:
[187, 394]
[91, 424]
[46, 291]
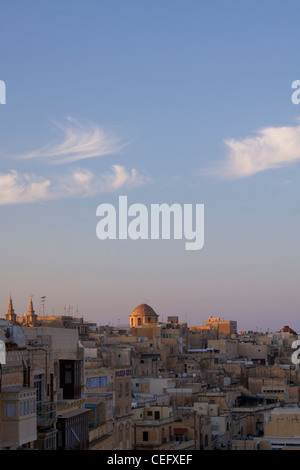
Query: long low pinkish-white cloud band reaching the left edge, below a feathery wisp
[17, 188]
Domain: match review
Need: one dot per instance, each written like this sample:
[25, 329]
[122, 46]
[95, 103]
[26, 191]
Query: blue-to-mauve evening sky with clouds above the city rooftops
[163, 101]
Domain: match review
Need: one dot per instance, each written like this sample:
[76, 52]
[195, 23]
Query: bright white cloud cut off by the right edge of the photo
[272, 147]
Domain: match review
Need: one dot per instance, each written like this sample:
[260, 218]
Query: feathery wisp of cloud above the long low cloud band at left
[80, 141]
